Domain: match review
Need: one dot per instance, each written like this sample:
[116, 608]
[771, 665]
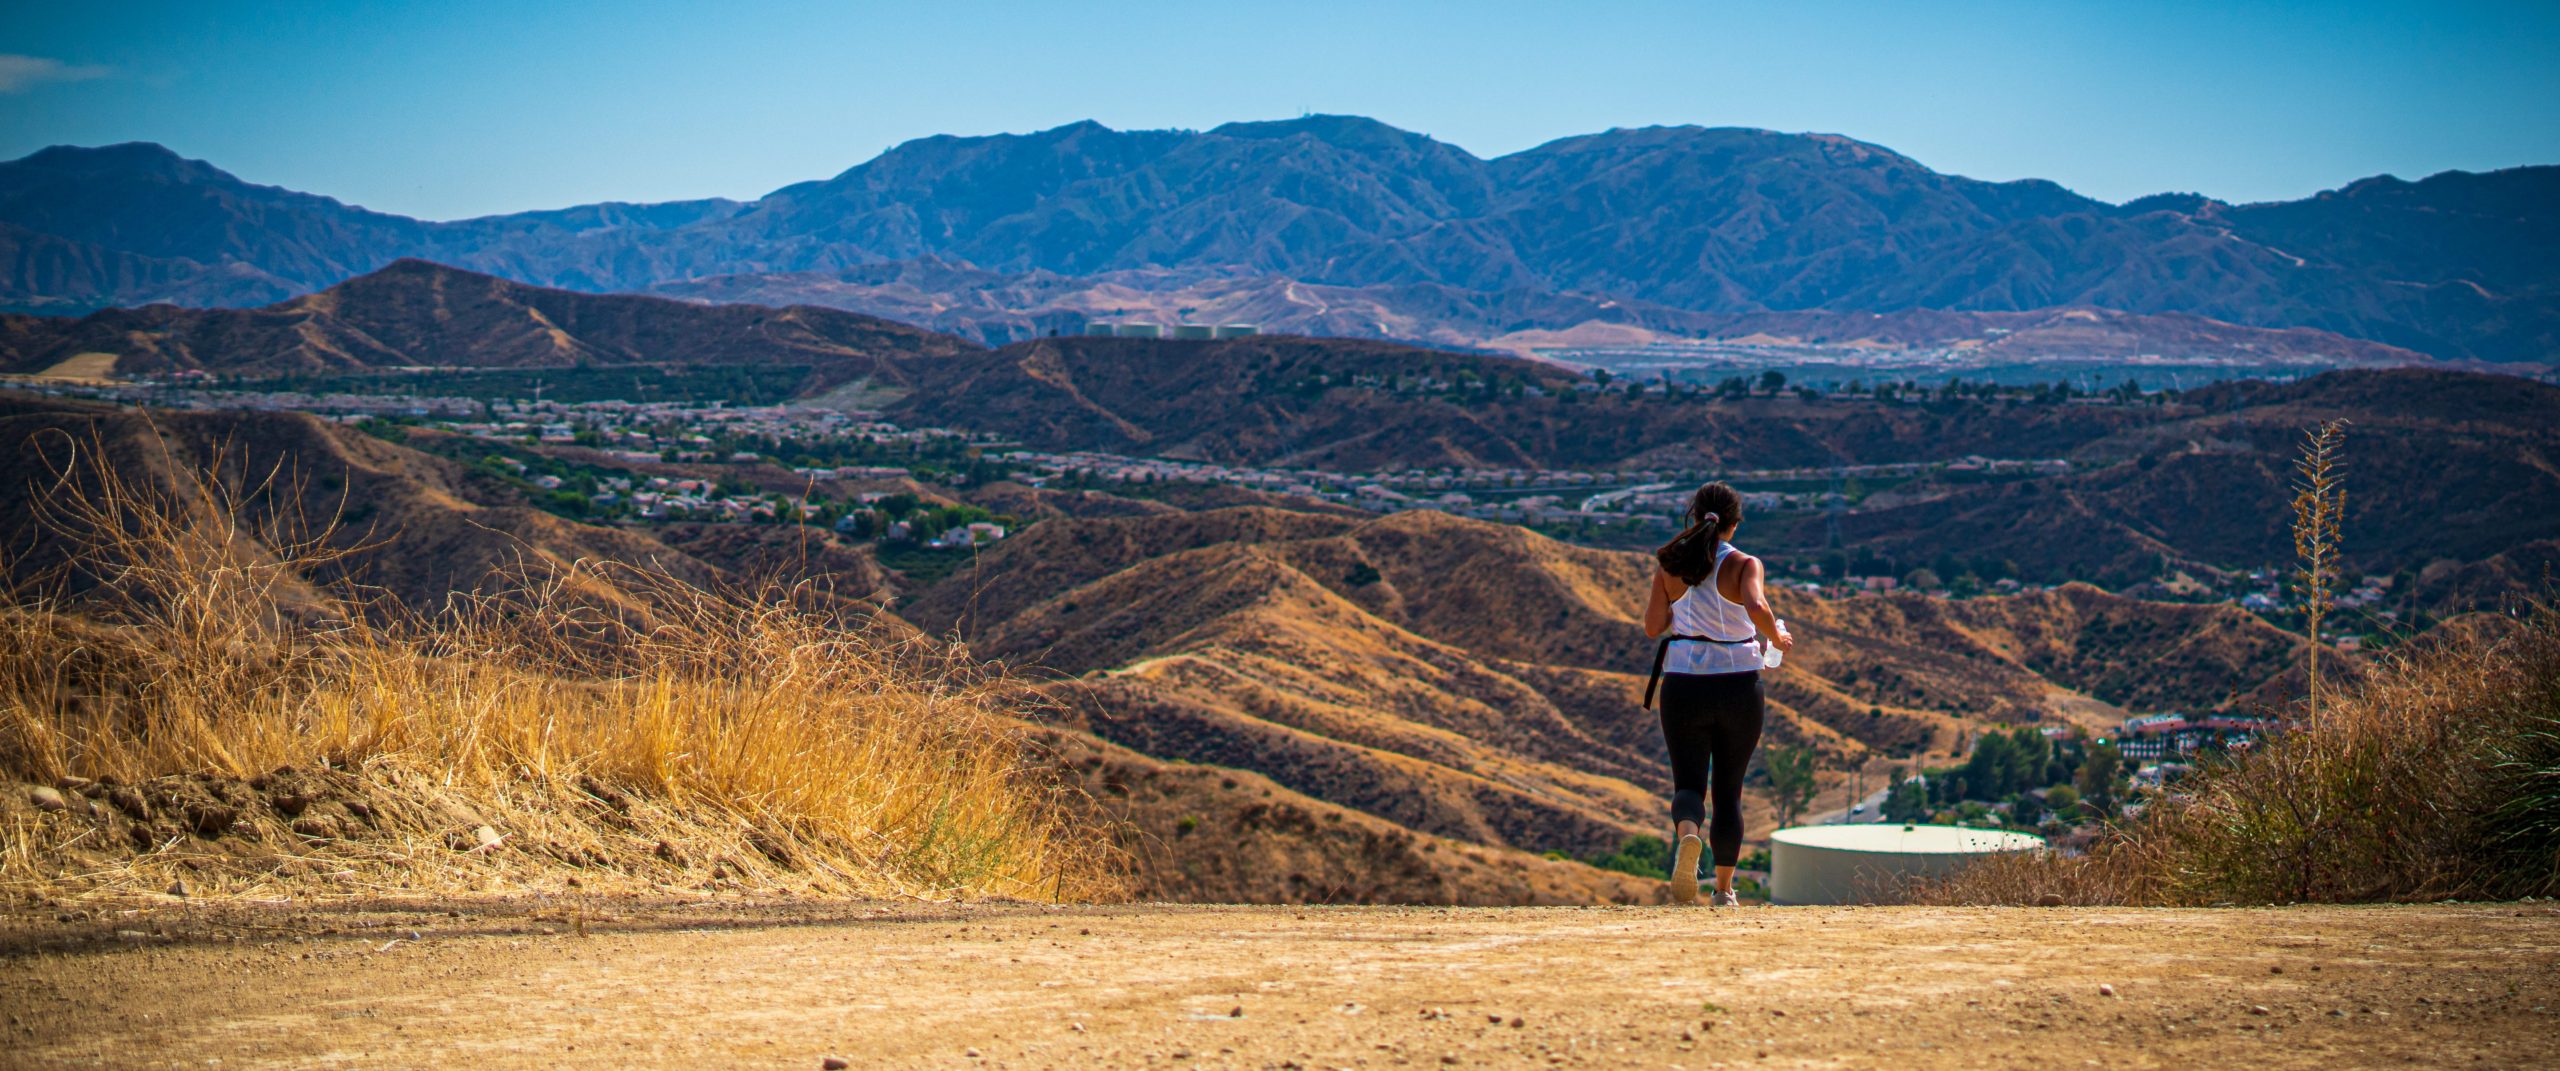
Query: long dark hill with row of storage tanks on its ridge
[1379, 406]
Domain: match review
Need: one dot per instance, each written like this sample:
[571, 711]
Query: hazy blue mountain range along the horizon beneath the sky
[1635, 227]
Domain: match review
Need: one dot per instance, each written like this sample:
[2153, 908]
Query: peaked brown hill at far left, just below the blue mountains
[419, 314]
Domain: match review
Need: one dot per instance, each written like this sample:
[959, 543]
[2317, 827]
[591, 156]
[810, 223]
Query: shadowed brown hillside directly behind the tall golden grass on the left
[398, 524]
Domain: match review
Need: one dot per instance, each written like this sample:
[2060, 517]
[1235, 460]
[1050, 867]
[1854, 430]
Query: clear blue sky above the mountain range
[465, 109]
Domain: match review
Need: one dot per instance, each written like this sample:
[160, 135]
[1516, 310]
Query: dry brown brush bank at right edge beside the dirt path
[2433, 778]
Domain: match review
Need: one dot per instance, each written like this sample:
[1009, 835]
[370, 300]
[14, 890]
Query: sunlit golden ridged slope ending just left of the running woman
[1238, 660]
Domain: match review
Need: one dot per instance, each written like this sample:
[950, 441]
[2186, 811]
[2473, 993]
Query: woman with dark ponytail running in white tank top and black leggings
[1709, 614]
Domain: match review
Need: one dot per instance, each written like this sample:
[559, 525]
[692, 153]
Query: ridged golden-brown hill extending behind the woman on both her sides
[1481, 683]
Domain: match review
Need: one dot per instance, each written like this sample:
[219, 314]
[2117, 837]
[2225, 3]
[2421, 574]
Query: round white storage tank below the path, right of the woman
[1850, 865]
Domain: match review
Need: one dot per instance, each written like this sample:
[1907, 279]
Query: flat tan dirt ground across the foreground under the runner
[516, 985]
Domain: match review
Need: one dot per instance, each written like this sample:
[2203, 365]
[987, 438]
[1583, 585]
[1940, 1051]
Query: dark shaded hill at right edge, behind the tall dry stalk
[2441, 470]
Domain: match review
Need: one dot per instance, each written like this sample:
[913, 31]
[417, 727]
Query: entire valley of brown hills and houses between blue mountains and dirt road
[1320, 619]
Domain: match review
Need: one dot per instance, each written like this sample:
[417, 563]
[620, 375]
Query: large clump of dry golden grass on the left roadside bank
[585, 726]
